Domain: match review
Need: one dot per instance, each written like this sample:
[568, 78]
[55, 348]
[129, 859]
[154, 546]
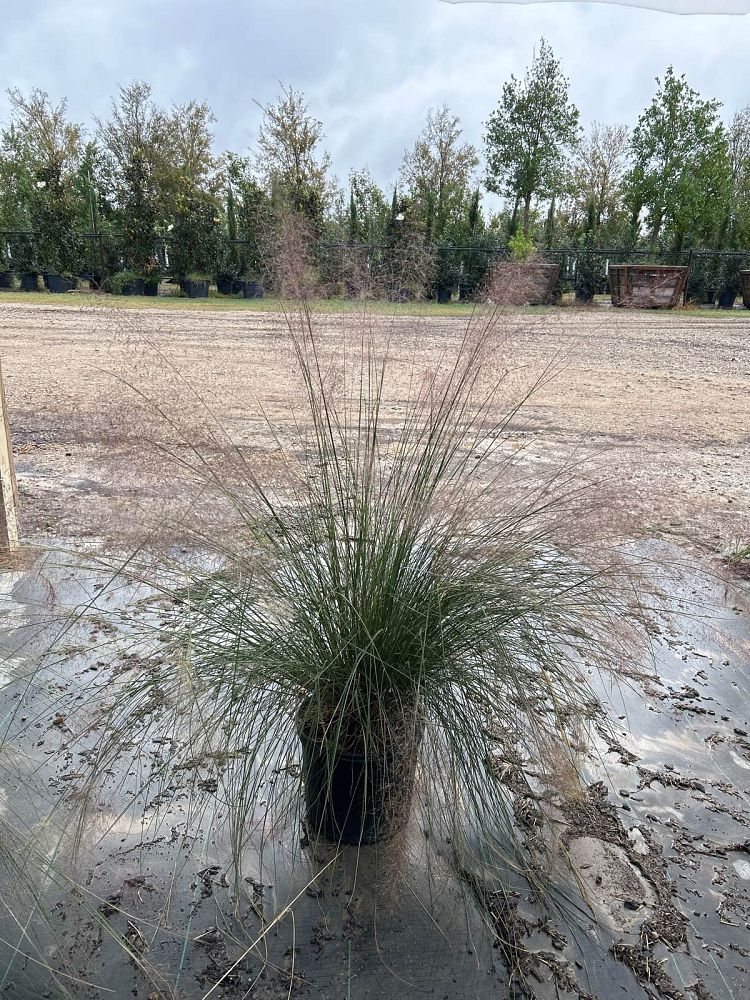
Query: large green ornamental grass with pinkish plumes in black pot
[411, 603]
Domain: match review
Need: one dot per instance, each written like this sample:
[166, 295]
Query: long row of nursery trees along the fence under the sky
[680, 179]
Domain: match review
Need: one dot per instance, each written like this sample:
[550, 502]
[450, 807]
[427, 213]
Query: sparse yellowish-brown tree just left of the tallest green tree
[438, 171]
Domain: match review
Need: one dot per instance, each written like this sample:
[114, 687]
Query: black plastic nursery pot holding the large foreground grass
[355, 798]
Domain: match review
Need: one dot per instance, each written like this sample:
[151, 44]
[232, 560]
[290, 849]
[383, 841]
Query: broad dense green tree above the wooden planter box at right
[680, 164]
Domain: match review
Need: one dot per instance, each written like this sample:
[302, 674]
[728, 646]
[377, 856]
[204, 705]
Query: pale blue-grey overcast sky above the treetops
[370, 68]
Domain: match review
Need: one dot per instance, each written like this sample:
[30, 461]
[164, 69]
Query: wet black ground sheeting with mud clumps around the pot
[129, 892]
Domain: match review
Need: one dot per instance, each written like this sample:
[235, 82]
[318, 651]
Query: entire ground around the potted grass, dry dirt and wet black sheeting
[105, 404]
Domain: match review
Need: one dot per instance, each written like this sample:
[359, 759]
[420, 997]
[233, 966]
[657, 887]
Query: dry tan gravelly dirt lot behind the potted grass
[657, 403]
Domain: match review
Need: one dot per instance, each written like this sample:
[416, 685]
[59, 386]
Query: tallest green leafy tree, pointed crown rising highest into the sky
[527, 133]
